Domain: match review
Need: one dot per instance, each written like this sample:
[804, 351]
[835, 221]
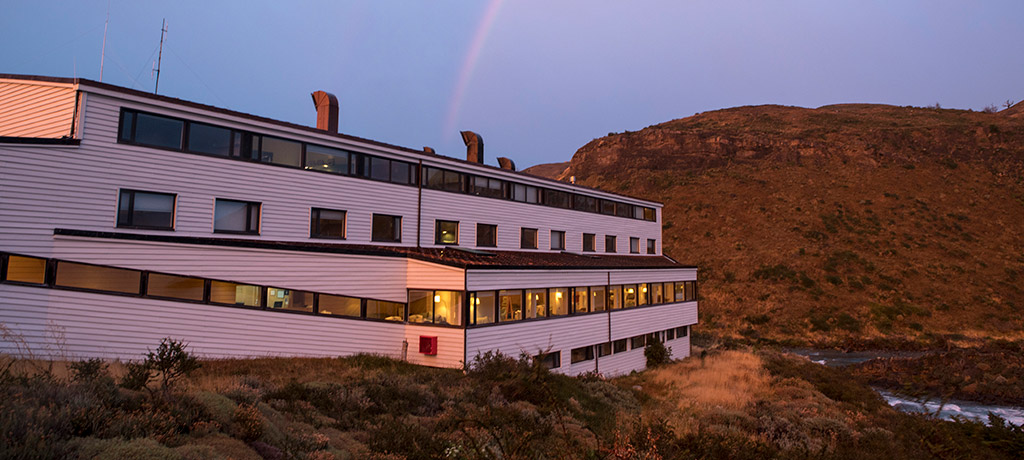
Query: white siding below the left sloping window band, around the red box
[79, 325]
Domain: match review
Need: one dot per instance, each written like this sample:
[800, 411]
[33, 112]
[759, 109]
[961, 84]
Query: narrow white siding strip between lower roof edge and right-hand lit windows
[485, 280]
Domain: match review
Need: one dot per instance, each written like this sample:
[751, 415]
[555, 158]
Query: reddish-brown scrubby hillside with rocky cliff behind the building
[848, 226]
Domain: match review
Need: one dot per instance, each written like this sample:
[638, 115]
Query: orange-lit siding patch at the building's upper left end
[36, 109]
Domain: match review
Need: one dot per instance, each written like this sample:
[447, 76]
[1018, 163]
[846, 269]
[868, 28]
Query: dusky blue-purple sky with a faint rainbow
[537, 79]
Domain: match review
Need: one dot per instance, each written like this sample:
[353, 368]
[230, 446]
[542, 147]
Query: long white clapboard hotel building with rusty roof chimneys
[126, 218]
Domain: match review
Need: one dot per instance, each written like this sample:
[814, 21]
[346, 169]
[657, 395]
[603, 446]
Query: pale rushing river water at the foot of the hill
[964, 409]
